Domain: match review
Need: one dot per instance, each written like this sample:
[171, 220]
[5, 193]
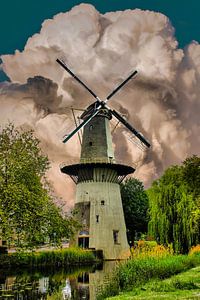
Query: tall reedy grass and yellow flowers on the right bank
[141, 269]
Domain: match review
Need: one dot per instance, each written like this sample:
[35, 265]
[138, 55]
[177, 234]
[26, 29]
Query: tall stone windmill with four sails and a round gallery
[98, 177]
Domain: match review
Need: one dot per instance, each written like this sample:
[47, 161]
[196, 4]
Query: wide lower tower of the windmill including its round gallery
[99, 208]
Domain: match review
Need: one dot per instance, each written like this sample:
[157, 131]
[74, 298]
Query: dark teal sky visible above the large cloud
[20, 19]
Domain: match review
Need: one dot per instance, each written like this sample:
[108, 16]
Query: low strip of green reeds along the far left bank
[70, 256]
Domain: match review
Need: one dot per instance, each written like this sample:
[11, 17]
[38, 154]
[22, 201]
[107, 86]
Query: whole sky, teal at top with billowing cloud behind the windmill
[102, 44]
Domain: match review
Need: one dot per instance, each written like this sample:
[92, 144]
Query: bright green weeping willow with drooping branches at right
[173, 210]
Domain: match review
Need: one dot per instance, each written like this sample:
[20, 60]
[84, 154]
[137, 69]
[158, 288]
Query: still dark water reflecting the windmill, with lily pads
[61, 284]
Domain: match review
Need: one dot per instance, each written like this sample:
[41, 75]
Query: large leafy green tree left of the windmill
[27, 212]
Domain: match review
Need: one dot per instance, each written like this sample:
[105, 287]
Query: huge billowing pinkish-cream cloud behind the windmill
[162, 102]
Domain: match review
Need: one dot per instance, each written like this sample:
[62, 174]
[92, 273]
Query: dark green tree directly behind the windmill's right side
[135, 206]
